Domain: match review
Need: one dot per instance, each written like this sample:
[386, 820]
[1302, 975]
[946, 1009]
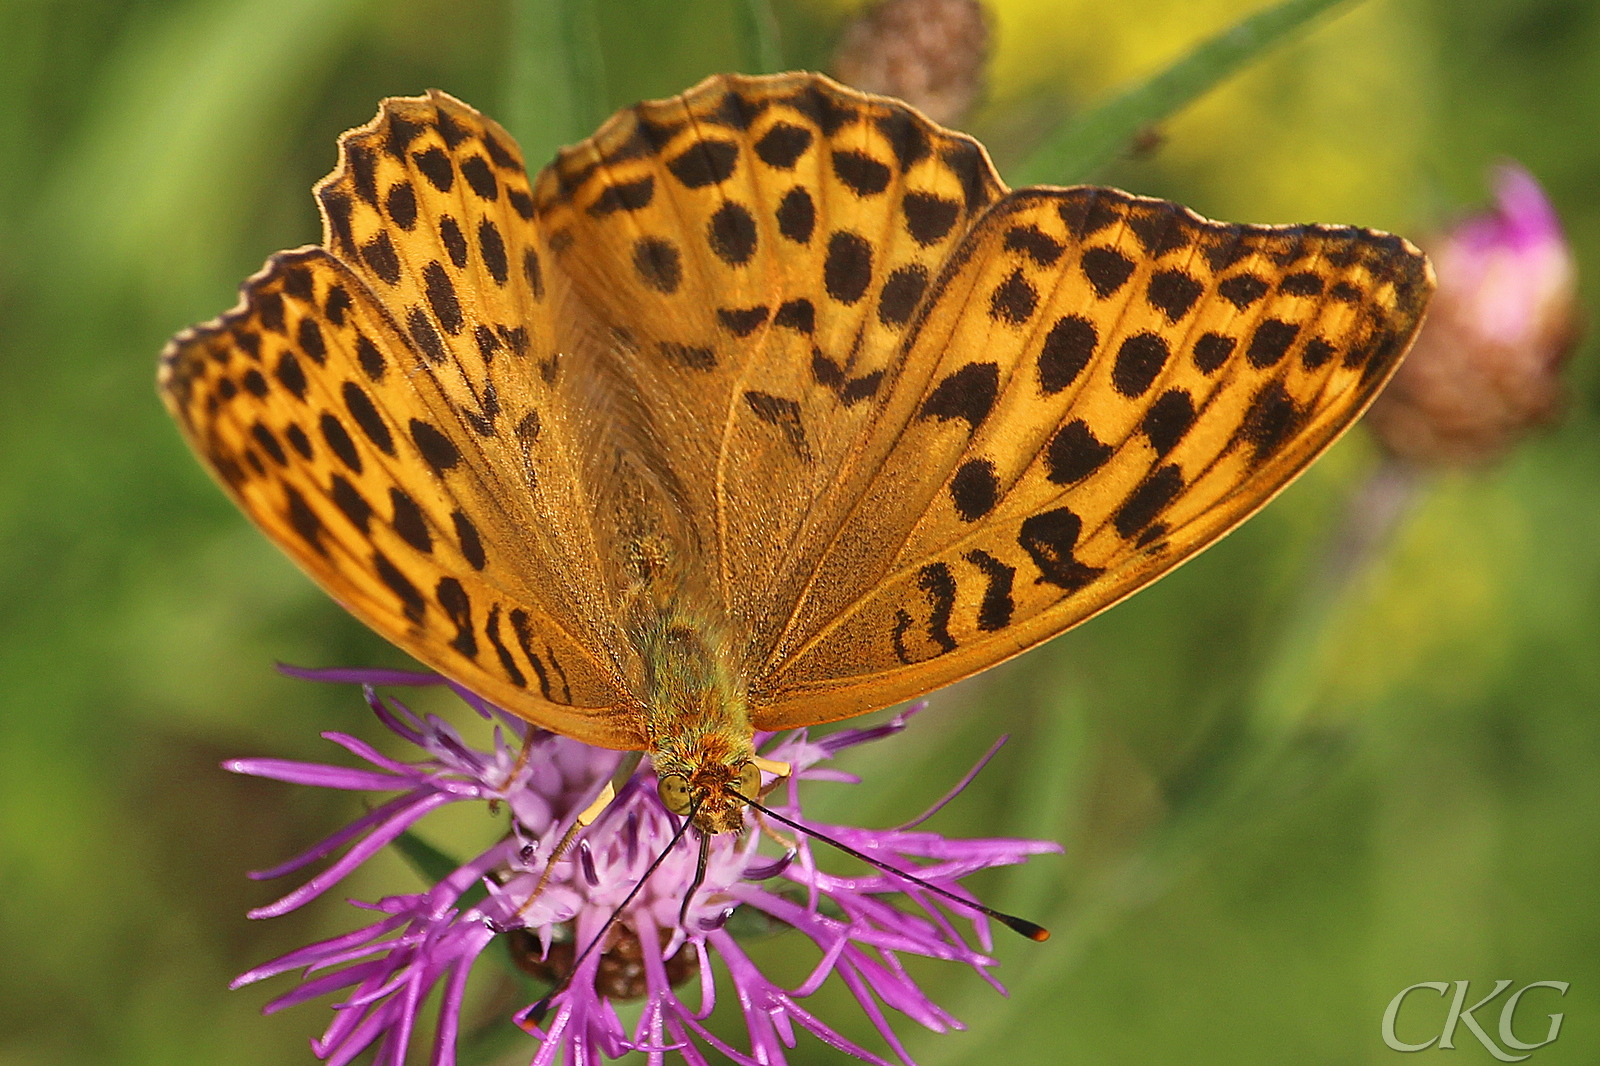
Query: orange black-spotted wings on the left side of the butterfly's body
[393, 417]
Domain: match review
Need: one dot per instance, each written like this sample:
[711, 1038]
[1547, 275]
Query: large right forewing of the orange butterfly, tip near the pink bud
[1097, 388]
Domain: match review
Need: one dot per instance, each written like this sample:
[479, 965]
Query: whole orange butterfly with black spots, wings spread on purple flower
[764, 407]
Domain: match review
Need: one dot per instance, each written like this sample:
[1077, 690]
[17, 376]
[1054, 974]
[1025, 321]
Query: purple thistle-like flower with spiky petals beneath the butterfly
[386, 971]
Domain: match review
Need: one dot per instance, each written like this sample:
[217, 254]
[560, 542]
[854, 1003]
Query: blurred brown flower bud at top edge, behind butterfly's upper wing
[929, 54]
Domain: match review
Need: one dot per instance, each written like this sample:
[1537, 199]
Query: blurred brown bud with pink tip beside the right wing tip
[1486, 366]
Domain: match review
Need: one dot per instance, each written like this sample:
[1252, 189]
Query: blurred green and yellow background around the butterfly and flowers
[1281, 804]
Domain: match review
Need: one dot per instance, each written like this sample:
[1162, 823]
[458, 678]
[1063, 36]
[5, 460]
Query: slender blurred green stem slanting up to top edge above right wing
[1086, 145]
